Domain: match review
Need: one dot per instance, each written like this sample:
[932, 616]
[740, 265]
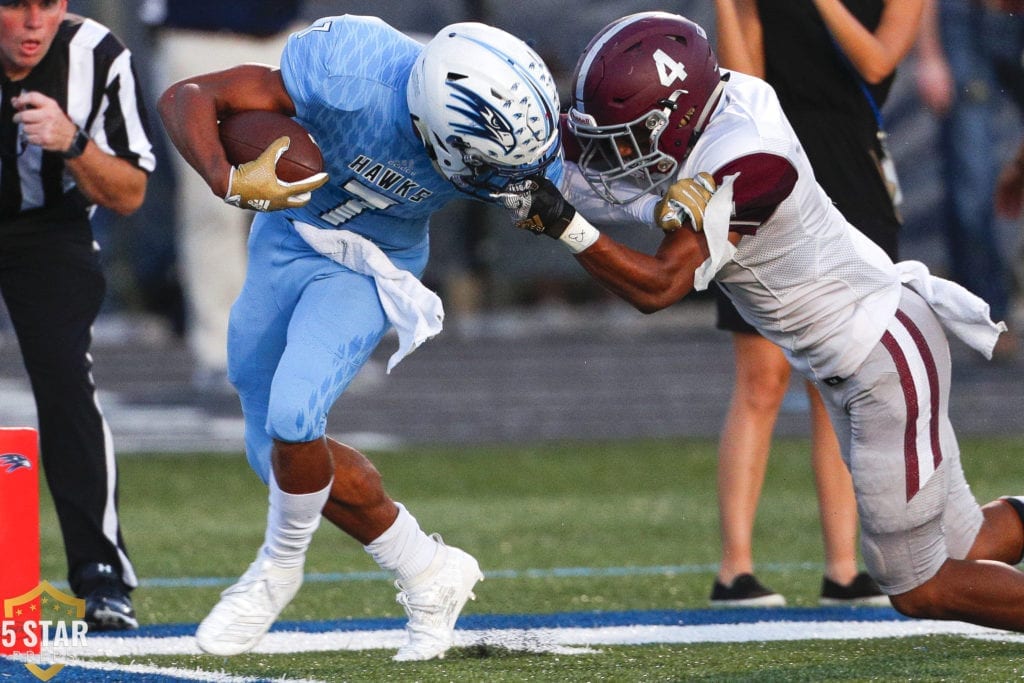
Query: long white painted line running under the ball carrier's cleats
[566, 642]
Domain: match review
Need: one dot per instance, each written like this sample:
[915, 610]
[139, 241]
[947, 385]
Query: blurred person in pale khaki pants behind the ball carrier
[193, 37]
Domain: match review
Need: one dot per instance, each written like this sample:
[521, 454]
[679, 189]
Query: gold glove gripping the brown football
[255, 185]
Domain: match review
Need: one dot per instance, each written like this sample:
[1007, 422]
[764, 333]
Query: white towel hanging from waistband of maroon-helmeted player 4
[961, 312]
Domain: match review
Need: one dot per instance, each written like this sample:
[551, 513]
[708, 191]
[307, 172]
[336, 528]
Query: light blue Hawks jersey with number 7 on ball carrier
[348, 77]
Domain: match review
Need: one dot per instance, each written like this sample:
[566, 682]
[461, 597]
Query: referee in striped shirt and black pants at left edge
[73, 137]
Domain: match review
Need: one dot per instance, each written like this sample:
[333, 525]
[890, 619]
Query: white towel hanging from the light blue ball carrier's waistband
[415, 312]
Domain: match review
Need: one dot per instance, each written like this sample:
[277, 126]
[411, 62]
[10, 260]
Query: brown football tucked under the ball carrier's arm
[245, 136]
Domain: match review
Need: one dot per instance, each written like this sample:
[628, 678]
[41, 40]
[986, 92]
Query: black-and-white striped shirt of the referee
[90, 73]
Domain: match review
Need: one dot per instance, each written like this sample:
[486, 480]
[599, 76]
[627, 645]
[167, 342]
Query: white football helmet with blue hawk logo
[486, 107]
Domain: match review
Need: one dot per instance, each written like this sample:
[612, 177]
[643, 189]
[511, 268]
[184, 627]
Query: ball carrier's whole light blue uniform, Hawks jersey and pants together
[305, 325]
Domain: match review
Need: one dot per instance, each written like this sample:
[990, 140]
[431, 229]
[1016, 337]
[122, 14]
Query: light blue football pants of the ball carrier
[301, 330]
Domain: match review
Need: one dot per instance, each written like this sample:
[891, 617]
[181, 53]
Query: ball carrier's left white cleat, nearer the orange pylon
[248, 609]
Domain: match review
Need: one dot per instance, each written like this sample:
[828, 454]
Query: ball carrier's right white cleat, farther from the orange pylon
[434, 602]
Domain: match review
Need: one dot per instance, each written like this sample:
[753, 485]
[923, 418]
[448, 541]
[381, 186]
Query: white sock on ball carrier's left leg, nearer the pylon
[291, 523]
